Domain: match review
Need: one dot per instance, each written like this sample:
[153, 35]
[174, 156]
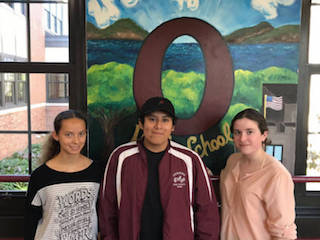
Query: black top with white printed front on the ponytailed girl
[62, 205]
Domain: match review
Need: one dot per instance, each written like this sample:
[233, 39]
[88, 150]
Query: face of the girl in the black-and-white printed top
[72, 135]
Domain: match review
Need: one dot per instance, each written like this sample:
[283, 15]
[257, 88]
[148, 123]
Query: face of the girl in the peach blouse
[247, 136]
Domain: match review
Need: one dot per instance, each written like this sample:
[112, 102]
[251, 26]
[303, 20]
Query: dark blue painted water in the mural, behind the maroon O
[252, 57]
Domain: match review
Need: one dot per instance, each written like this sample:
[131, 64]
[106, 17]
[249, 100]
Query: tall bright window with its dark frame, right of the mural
[308, 133]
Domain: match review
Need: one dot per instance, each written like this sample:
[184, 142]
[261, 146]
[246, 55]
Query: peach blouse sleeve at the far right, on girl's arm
[281, 208]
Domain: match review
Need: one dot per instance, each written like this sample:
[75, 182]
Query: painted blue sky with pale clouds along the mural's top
[225, 15]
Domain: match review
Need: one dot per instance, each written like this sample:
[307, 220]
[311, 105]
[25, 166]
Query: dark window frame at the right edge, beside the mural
[307, 202]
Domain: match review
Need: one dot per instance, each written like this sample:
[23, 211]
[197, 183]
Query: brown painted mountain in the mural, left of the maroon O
[125, 29]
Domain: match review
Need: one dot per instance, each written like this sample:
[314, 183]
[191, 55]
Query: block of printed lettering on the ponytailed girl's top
[74, 214]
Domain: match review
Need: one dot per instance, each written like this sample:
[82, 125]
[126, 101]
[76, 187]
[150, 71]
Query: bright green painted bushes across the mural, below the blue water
[110, 87]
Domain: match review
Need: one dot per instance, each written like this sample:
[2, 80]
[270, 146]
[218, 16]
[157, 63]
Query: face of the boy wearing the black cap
[157, 129]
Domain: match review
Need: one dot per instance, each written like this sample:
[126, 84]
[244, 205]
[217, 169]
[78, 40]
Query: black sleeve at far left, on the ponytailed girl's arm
[33, 213]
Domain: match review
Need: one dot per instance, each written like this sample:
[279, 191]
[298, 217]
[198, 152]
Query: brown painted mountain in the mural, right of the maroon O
[264, 33]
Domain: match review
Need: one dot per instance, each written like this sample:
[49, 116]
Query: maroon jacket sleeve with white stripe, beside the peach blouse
[207, 220]
